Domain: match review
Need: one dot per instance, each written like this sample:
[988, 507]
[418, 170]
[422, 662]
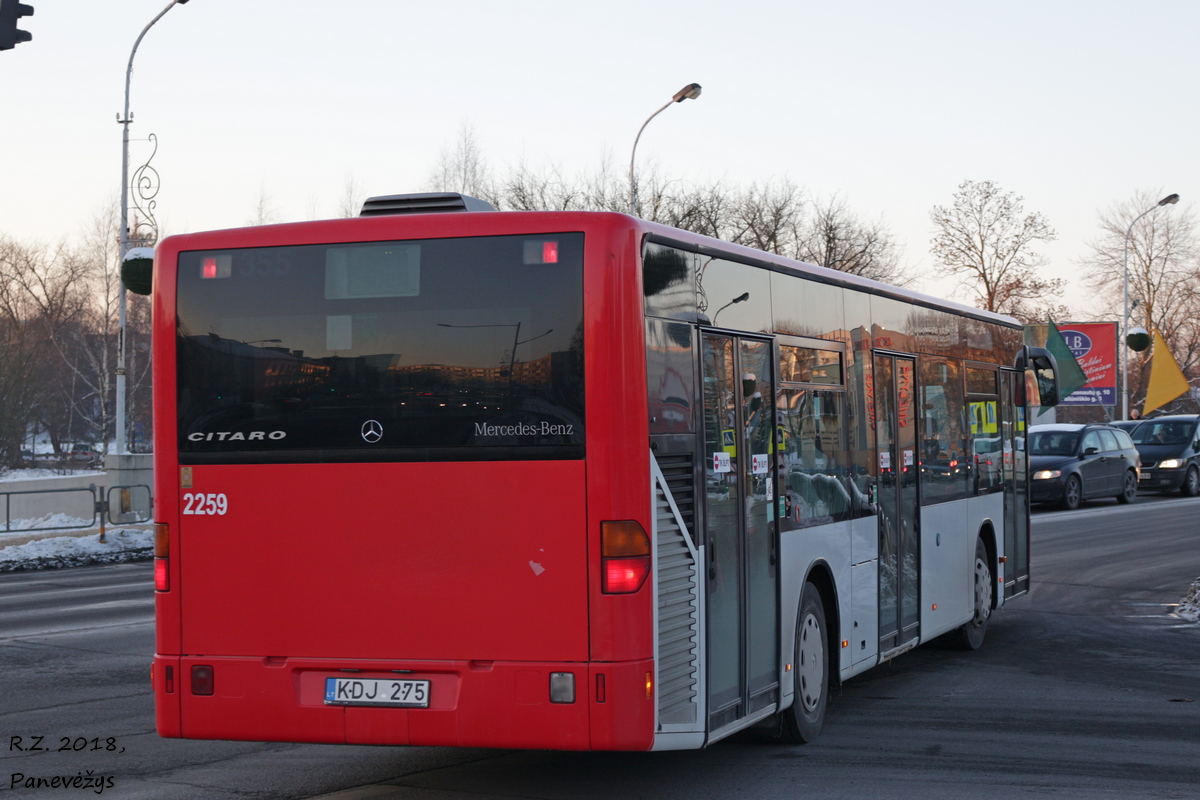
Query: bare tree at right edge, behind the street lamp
[1165, 279]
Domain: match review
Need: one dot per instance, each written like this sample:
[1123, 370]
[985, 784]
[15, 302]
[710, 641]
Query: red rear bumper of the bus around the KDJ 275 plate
[472, 703]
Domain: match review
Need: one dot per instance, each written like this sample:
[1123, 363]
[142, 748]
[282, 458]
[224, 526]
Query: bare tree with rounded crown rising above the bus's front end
[987, 240]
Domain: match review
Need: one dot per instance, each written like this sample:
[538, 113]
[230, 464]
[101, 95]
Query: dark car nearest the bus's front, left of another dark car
[1071, 464]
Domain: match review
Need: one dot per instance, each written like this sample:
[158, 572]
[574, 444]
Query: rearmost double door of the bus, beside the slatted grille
[740, 527]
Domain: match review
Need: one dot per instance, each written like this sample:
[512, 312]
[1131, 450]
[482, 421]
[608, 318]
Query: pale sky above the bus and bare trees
[1073, 105]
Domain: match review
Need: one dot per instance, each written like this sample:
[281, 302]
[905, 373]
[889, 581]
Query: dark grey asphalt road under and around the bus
[1085, 689]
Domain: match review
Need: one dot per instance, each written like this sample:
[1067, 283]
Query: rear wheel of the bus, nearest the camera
[805, 718]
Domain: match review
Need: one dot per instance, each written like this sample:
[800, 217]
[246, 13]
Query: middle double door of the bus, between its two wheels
[896, 424]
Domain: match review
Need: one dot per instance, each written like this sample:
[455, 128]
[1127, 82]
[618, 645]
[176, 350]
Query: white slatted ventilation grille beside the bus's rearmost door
[679, 663]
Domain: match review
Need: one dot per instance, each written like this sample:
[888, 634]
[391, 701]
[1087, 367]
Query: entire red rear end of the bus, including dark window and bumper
[383, 478]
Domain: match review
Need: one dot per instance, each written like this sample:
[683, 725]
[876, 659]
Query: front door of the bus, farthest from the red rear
[1015, 471]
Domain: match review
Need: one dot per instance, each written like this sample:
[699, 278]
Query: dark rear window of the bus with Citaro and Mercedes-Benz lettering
[441, 350]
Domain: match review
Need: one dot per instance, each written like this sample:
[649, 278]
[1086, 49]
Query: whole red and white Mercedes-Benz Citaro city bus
[561, 480]
